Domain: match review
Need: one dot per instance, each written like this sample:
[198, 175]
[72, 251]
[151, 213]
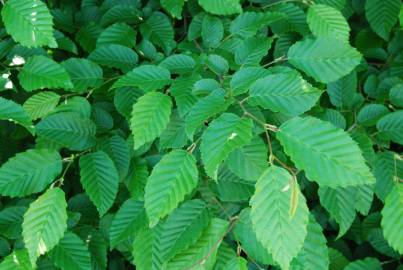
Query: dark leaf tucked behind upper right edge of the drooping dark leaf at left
[118, 150]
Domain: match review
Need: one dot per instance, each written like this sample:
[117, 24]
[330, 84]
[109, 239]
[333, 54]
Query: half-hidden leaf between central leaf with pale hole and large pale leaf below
[249, 161]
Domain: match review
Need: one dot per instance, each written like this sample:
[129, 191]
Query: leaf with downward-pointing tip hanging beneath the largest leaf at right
[338, 202]
